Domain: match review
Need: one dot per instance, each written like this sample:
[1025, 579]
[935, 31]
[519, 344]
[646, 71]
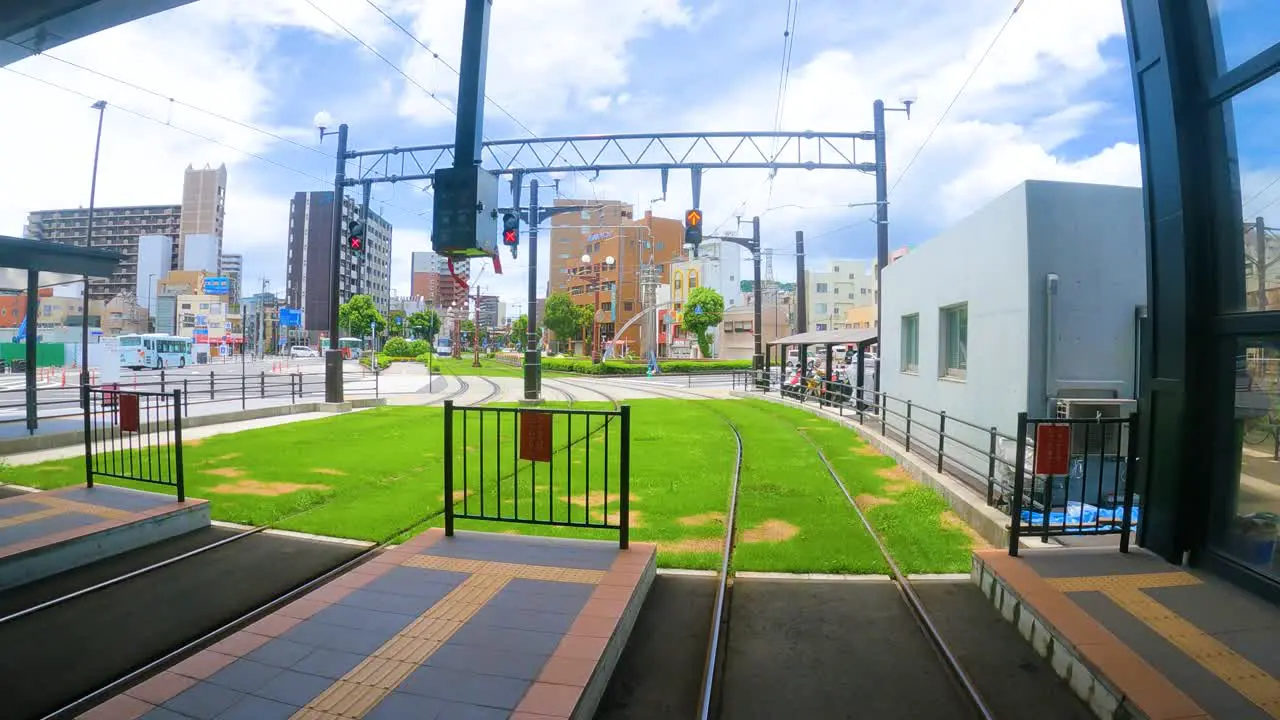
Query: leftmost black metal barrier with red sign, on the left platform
[134, 436]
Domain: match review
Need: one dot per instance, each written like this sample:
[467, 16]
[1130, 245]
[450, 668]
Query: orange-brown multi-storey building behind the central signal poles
[607, 231]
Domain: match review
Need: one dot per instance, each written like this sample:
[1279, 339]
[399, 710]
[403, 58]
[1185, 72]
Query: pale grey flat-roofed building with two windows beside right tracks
[1031, 304]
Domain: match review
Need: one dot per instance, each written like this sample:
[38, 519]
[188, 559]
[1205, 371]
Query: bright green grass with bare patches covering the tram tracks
[378, 473]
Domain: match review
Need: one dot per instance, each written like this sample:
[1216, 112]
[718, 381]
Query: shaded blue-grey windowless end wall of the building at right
[1094, 238]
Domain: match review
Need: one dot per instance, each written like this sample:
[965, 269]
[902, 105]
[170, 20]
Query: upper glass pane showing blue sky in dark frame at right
[1254, 262]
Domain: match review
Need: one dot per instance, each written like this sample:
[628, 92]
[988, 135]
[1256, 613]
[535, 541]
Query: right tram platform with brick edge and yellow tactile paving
[1137, 637]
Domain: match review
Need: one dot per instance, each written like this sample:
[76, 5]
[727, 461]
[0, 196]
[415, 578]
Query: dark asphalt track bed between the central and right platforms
[803, 649]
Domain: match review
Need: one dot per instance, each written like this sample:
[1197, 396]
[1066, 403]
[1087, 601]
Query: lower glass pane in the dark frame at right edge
[1250, 520]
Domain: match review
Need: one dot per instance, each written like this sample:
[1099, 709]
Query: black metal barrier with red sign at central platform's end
[542, 467]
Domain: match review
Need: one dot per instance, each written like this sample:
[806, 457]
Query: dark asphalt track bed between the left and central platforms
[58, 655]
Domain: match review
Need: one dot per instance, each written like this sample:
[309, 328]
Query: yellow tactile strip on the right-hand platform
[1209, 653]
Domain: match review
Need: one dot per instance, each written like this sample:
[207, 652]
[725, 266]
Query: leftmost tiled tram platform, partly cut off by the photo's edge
[47, 534]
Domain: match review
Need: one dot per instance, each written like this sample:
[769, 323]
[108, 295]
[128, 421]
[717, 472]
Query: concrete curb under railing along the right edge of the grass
[971, 507]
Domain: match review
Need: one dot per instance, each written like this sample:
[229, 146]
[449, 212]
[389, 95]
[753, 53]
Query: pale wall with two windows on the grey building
[981, 261]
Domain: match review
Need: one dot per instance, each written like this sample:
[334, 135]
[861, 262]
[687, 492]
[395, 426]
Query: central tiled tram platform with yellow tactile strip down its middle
[477, 626]
